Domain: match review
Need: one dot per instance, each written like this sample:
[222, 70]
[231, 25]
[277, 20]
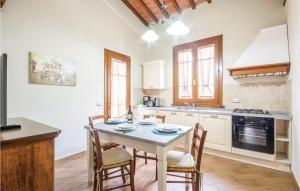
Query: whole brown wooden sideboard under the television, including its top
[27, 156]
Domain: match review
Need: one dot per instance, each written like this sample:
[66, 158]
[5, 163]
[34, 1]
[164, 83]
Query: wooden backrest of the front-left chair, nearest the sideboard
[98, 163]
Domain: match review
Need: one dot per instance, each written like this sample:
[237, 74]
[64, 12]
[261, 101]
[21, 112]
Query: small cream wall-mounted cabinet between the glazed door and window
[154, 75]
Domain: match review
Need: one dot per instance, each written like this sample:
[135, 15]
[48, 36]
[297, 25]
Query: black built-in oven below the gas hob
[253, 133]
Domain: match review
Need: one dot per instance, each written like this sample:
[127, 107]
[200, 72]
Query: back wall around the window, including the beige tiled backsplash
[240, 21]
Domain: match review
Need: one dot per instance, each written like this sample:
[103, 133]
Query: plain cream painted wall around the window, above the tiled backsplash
[239, 22]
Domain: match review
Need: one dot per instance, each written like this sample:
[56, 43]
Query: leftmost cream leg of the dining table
[90, 161]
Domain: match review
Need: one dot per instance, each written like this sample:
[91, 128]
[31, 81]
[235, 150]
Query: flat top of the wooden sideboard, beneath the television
[30, 131]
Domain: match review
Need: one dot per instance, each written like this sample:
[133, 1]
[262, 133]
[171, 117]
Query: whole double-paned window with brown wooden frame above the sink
[198, 72]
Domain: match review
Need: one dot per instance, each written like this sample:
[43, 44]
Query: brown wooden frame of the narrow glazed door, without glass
[108, 54]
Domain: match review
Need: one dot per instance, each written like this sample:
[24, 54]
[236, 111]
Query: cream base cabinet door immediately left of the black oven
[218, 131]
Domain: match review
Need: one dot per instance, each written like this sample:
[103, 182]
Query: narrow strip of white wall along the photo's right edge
[293, 12]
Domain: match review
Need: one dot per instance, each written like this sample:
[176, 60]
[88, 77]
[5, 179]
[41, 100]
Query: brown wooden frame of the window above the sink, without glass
[217, 101]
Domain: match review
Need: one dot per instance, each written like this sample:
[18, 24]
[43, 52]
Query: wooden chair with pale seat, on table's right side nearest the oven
[189, 163]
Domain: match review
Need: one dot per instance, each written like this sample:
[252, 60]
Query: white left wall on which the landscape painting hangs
[73, 29]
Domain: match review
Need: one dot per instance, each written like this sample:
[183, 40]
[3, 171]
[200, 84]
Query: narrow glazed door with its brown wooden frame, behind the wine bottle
[116, 84]
